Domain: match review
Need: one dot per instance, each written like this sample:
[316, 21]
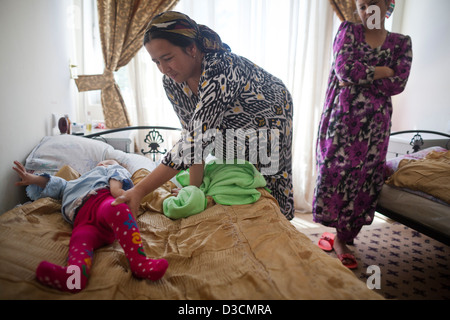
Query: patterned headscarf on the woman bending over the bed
[181, 24]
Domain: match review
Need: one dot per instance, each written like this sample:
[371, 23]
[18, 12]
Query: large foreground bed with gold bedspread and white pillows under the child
[238, 252]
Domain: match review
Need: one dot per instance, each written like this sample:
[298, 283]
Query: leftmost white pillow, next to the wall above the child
[53, 152]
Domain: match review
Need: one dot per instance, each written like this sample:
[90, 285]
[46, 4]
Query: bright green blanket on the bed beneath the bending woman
[228, 184]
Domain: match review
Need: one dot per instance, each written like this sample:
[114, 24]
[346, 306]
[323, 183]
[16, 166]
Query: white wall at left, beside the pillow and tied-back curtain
[34, 81]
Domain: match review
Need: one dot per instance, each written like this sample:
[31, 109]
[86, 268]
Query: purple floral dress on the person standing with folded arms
[354, 129]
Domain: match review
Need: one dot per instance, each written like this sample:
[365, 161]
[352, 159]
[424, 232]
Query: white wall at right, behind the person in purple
[425, 103]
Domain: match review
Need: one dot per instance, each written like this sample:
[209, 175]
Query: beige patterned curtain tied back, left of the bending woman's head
[122, 26]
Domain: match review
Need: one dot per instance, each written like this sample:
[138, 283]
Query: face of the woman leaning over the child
[173, 61]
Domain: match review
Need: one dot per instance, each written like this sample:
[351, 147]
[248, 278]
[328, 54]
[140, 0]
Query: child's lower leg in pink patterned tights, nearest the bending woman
[127, 233]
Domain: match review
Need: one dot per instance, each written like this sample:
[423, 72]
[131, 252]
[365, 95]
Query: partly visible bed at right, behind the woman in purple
[417, 188]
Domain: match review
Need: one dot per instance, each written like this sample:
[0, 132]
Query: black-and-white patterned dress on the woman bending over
[240, 112]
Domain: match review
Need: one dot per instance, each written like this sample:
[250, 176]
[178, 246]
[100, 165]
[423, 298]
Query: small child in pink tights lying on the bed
[86, 203]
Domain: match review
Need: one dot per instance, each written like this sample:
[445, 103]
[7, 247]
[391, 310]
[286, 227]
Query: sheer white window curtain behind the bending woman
[289, 38]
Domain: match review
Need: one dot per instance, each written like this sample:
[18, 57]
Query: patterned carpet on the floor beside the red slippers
[412, 266]
